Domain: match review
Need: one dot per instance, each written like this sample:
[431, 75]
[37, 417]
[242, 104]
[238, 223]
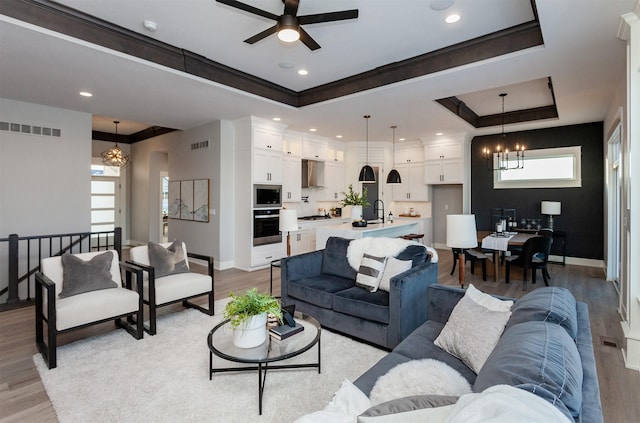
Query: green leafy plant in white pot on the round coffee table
[248, 316]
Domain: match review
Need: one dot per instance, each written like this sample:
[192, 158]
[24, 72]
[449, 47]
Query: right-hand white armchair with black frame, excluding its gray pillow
[172, 288]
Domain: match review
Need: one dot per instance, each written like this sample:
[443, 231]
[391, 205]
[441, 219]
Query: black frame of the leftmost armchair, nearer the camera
[48, 348]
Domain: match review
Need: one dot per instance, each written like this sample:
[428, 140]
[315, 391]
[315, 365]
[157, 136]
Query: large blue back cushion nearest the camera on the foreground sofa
[540, 358]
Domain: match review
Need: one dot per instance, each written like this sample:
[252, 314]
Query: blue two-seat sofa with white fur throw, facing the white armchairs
[322, 284]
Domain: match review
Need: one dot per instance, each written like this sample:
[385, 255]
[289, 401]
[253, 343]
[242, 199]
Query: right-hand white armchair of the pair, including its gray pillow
[167, 278]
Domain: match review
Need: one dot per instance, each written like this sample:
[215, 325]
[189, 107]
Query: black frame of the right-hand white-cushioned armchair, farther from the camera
[151, 327]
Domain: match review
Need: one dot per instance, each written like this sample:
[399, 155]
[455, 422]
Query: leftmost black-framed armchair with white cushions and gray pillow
[78, 290]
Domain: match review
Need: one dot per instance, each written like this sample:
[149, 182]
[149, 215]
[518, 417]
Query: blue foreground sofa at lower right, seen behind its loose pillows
[546, 349]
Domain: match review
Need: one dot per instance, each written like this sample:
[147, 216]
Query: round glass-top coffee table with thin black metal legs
[260, 358]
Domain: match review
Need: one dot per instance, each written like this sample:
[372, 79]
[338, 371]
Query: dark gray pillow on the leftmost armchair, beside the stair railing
[80, 276]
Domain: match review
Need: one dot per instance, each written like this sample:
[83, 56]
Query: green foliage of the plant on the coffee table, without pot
[242, 307]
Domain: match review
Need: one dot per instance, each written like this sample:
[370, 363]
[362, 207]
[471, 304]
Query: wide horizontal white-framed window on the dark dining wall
[544, 168]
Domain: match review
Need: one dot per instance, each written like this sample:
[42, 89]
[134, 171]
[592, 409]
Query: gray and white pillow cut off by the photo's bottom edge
[390, 411]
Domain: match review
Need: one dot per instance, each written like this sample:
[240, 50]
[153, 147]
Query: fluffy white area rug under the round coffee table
[165, 378]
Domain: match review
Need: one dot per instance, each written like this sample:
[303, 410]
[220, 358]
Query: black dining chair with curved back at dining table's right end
[535, 255]
